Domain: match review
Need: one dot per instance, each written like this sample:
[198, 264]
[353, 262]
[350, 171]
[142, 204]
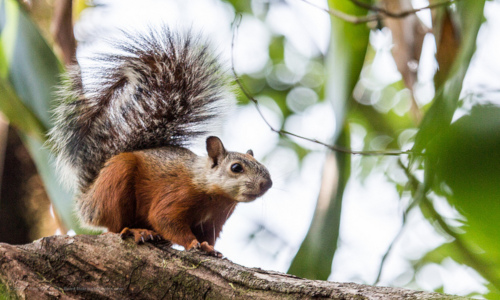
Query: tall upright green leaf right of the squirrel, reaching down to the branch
[344, 61]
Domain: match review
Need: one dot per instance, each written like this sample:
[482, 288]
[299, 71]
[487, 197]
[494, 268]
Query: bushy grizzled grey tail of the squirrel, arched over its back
[156, 89]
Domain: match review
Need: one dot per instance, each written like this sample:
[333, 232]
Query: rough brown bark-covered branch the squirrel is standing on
[107, 267]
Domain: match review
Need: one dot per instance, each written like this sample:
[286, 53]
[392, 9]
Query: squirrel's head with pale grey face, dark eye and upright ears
[238, 175]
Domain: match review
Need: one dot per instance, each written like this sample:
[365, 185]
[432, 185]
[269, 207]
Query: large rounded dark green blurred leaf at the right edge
[465, 169]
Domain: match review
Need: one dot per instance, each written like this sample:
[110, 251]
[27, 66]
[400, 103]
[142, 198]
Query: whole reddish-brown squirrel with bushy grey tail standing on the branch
[123, 125]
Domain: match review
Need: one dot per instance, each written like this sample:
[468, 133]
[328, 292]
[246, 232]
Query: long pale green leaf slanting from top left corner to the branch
[29, 73]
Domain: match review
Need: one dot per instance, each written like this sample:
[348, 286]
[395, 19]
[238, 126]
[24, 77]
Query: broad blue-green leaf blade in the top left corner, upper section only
[28, 62]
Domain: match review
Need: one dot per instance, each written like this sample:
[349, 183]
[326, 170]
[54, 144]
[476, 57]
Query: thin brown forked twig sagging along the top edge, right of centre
[380, 13]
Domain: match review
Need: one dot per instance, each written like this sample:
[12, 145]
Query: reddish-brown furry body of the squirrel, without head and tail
[160, 196]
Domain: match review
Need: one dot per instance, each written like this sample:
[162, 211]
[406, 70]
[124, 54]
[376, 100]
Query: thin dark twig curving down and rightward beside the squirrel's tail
[284, 132]
